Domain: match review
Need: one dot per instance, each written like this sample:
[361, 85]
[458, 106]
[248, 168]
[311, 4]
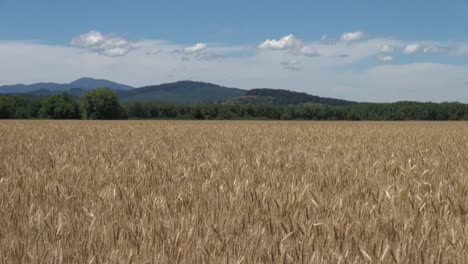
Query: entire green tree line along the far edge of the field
[103, 103]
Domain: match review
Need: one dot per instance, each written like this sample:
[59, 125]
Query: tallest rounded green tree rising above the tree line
[101, 103]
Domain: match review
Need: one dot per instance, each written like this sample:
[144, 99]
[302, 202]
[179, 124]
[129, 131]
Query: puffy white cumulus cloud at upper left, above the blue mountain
[106, 45]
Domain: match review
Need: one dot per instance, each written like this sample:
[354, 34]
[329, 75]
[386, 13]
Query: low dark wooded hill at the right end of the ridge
[286, 97]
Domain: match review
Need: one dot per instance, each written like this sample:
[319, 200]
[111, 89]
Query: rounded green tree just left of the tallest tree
[61, 106]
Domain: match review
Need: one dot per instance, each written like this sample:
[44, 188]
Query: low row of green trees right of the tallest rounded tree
[391, 111]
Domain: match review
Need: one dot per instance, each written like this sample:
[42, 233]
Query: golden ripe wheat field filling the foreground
[233, 192]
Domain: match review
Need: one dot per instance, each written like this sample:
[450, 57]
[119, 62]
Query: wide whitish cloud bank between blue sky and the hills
[351, 66]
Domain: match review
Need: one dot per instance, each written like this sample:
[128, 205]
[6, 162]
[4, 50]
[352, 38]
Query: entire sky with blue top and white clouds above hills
[361, 49]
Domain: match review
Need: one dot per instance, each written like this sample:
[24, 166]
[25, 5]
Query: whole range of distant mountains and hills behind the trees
[181, 92]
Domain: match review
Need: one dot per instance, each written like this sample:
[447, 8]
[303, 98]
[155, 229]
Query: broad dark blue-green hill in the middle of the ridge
[182, 92]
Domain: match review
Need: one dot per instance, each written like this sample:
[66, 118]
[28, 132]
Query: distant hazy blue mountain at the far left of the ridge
[53, 88]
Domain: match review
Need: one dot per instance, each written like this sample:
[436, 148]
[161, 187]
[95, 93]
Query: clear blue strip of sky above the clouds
[236, 22]
